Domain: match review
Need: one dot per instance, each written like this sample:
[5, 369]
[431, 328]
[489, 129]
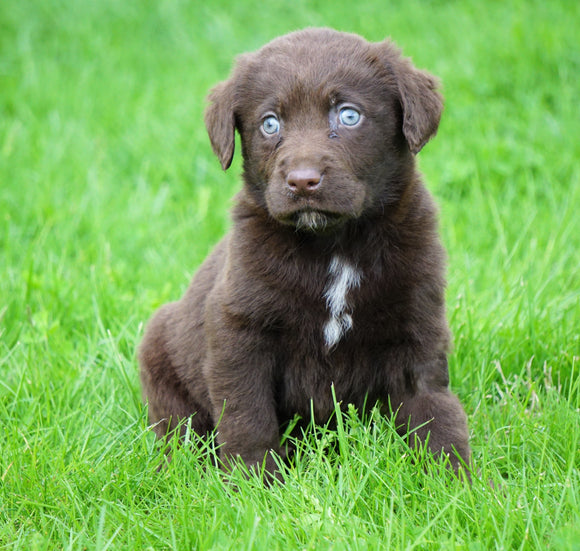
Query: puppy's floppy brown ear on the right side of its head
[421, 102]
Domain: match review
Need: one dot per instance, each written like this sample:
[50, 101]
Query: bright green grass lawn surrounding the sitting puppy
[110, 198]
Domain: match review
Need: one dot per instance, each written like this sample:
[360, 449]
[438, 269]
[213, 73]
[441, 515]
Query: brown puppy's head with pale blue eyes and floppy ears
[329, 125]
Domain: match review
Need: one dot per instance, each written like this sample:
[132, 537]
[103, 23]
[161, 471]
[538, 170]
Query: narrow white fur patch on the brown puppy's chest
[342, 278]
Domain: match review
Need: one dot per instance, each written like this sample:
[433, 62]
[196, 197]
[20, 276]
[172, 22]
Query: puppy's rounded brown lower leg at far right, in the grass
[436, 417]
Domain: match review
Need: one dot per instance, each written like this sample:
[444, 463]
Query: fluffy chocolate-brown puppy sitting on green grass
[333, 273]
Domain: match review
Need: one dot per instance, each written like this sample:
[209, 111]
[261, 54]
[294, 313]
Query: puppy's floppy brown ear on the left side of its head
[220, 122]
